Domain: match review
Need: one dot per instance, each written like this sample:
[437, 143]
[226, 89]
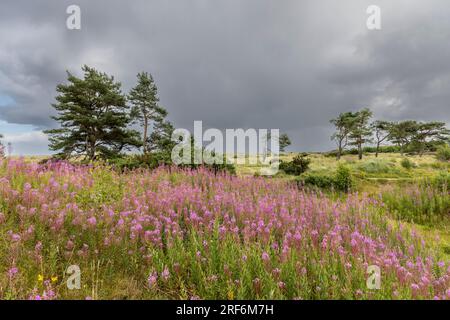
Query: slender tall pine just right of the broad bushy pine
[145, 105]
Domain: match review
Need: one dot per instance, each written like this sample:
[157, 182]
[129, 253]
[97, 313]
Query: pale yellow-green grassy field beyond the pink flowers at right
[384, 175]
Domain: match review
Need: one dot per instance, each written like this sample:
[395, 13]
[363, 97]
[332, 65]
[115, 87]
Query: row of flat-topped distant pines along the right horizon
[356, 129]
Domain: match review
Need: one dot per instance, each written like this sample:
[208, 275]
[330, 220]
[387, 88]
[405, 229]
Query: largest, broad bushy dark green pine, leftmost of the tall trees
[94, 117]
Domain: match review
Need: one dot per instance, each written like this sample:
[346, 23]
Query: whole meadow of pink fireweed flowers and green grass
[174, 233]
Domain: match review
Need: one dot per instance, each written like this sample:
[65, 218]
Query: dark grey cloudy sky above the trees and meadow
[290, 65]
